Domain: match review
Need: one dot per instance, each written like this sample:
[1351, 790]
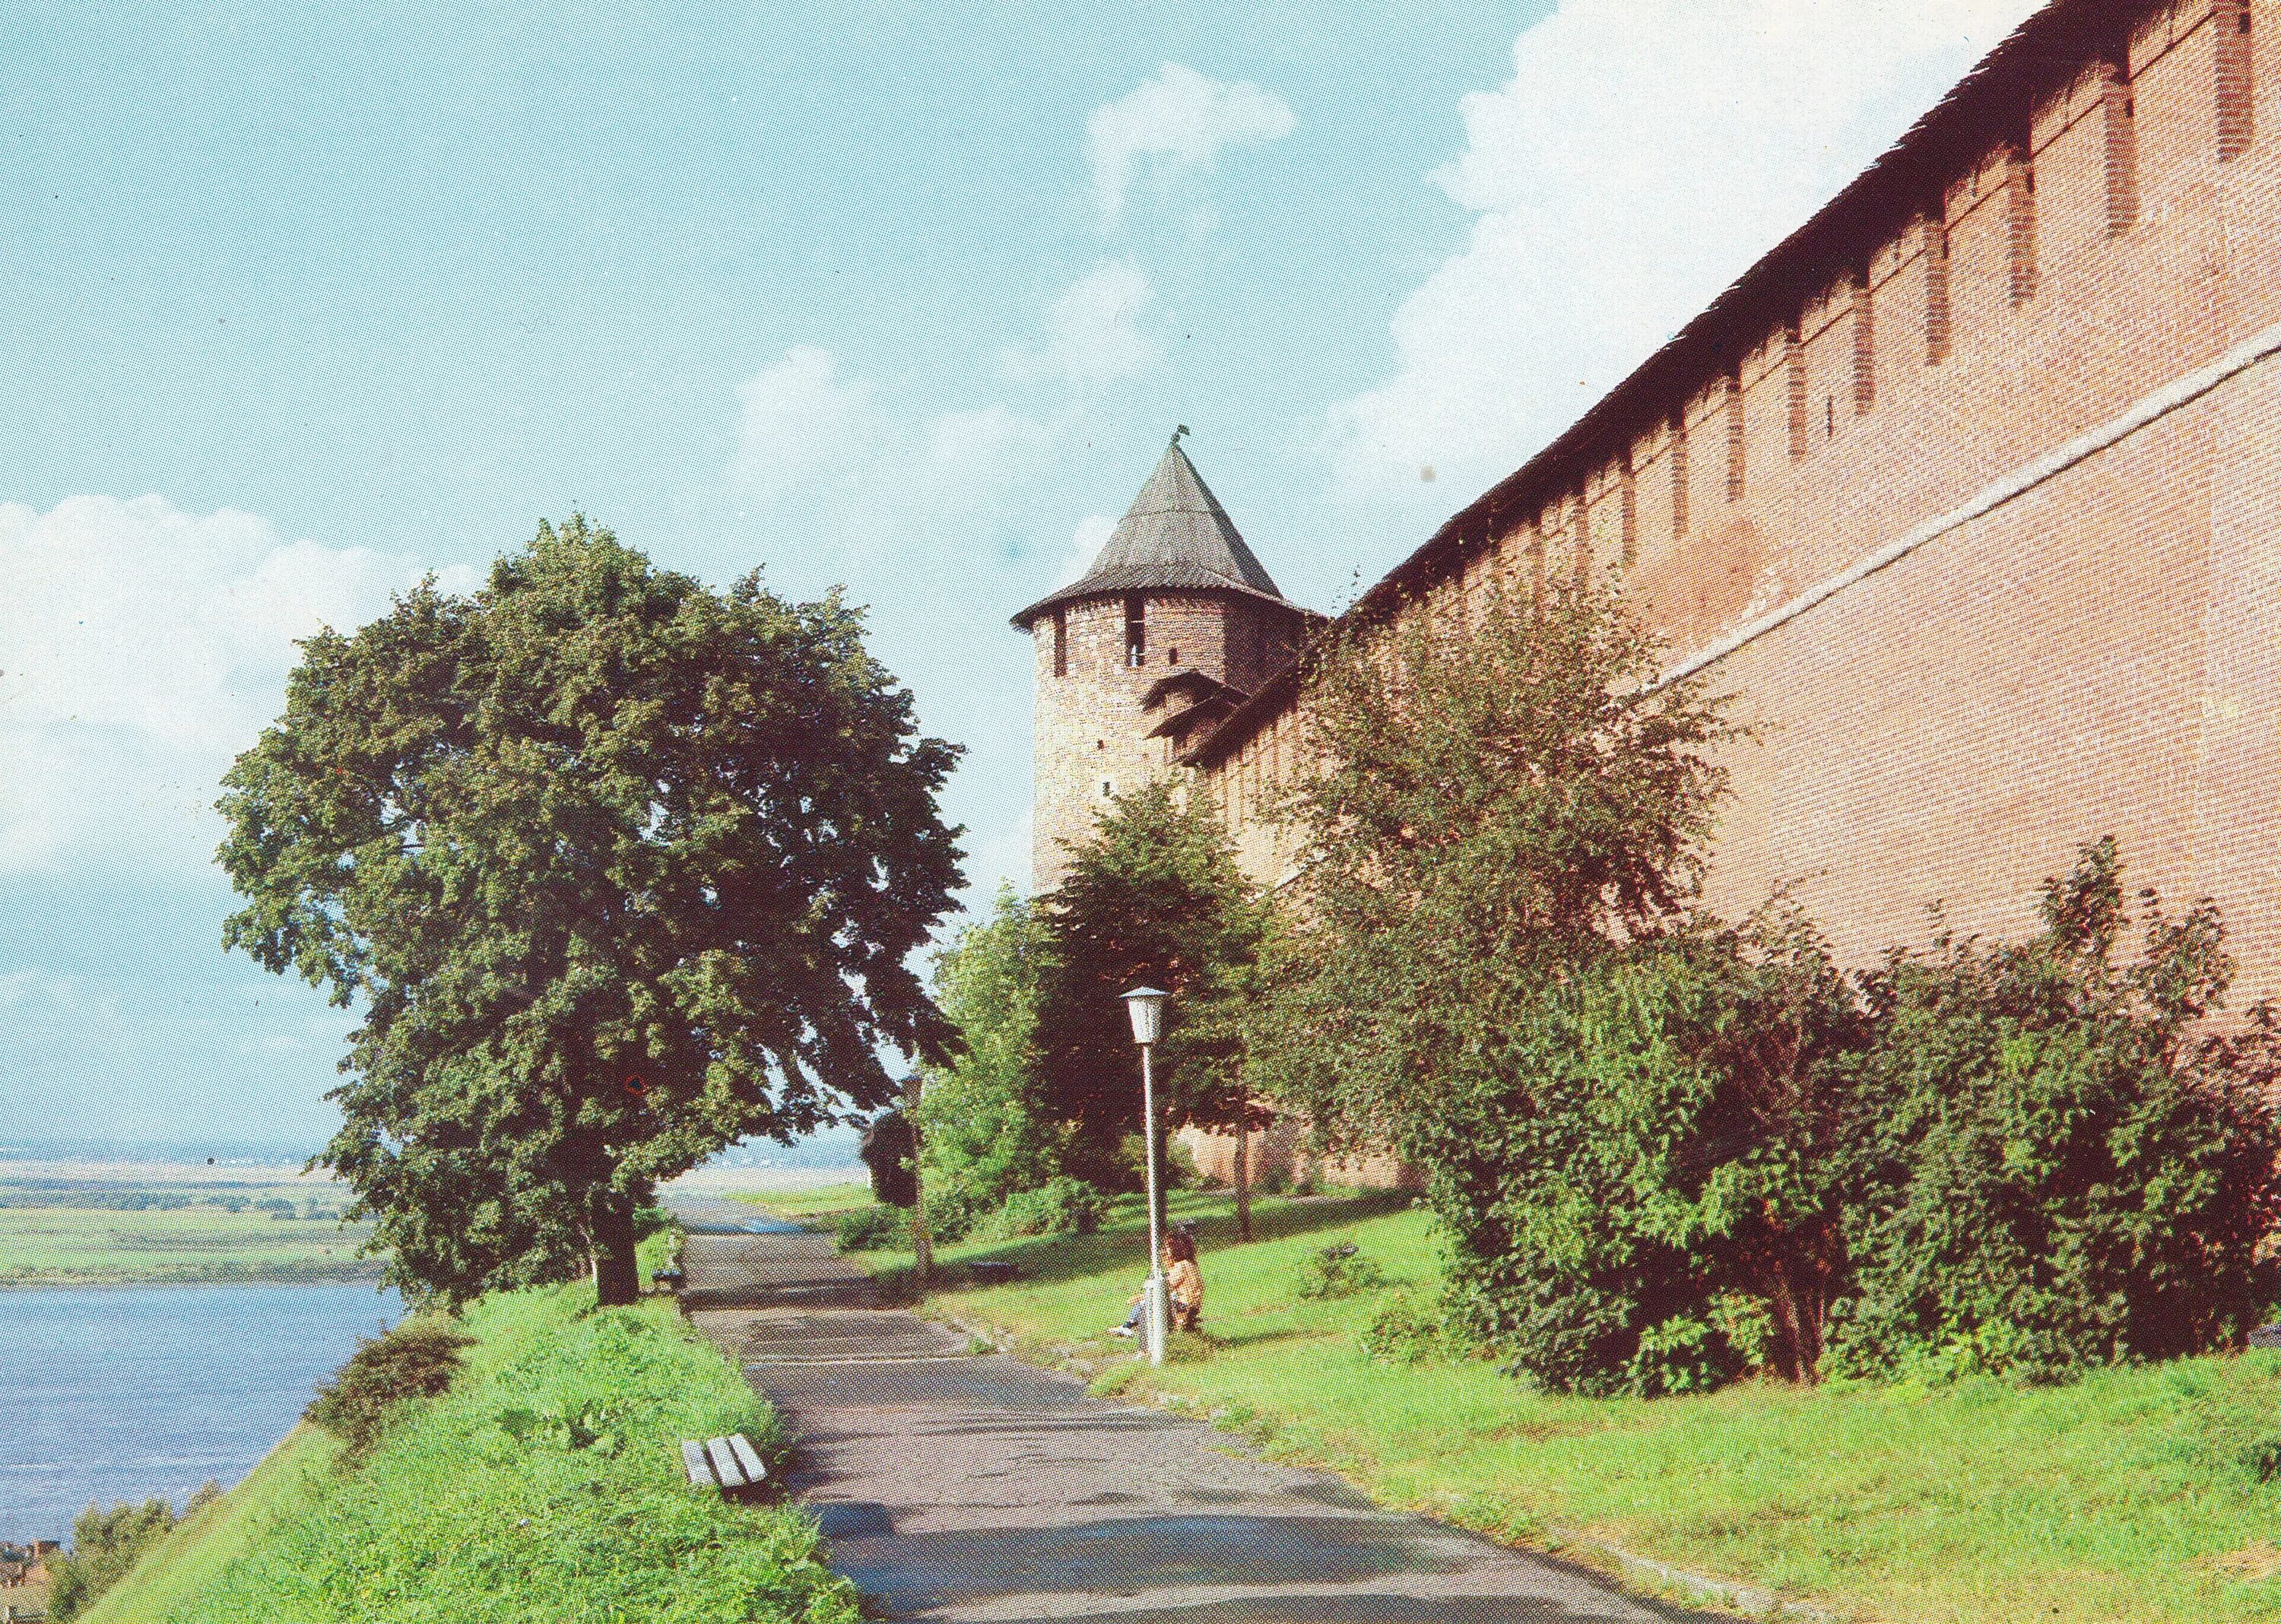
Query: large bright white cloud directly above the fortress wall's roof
[1639, 161]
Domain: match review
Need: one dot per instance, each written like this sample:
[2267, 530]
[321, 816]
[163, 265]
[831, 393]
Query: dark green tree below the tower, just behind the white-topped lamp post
[1155, 898]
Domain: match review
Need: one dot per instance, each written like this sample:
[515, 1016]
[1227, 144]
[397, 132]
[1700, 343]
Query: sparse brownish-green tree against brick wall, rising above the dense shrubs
[1491, 811]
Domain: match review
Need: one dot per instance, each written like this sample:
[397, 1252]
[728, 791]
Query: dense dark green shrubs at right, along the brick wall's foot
[1716, 1153]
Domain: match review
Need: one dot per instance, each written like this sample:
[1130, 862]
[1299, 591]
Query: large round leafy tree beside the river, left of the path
[617, 870]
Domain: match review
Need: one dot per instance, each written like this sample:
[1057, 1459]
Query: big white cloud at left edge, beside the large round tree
[140, 651]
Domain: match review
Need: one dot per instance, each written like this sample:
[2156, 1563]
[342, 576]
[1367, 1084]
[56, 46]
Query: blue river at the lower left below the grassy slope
[124, 1392]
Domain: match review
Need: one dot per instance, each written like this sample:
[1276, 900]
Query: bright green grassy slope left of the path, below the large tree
[544, 1486]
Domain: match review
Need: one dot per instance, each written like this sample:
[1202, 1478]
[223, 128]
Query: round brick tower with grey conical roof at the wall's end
[1171, 628]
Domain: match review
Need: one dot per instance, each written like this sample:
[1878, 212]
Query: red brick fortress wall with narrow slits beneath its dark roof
[1981, 519]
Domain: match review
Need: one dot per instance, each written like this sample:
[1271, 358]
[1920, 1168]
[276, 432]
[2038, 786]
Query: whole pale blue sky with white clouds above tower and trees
[300, 304]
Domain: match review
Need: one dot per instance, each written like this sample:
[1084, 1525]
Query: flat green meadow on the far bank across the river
[86, 1233]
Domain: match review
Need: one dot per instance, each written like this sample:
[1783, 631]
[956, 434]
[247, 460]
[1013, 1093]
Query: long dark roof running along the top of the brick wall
[1992, 104]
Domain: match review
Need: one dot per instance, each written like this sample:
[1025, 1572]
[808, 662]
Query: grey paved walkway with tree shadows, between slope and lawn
[959, 1486]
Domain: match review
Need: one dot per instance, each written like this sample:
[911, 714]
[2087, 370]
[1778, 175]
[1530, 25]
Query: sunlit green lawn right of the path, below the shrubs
[2134, 1495]
